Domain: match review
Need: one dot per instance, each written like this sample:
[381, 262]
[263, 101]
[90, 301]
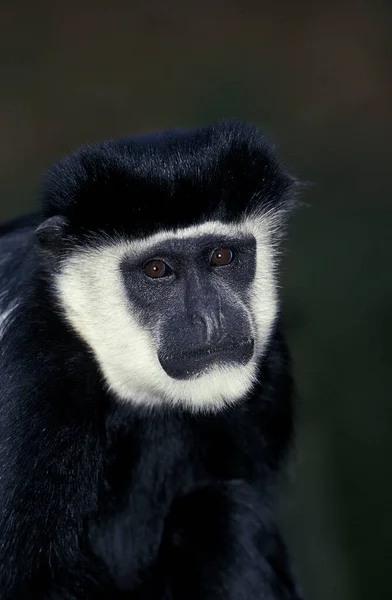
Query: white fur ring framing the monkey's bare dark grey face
[95, 302]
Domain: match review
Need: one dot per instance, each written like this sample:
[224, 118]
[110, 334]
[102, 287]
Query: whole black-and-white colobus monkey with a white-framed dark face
[145, 389]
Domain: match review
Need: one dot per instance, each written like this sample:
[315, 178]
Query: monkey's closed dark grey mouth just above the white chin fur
[193, 362]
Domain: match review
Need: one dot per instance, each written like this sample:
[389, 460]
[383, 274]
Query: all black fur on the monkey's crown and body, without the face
[103, 500]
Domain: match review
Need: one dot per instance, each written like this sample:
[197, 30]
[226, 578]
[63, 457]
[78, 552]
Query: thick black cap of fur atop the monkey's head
[168, 180]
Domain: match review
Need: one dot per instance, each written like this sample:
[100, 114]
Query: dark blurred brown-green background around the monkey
[317, 77]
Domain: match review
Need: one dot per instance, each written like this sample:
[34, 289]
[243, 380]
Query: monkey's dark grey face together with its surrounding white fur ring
[179, 317]
